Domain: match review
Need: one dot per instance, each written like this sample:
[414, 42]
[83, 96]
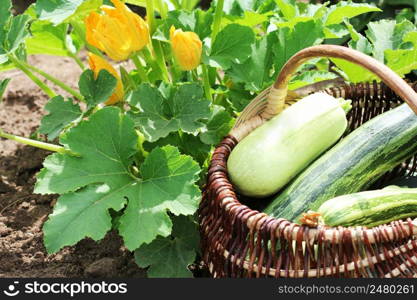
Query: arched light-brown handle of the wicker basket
[278, 92]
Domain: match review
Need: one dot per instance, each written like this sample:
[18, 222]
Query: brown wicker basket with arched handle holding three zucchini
[238, 241]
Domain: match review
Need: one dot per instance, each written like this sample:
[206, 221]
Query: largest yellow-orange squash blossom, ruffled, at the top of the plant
[118, 31]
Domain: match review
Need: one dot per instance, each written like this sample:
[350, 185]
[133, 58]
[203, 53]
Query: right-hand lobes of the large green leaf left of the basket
[167, 183]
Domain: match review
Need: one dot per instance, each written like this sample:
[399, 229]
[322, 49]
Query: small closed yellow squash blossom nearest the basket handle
[186, 47]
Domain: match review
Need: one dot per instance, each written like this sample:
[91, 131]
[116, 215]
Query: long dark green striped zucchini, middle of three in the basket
[352, 165]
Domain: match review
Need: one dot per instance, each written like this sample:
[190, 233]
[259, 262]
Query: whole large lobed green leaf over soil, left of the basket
[100, 178]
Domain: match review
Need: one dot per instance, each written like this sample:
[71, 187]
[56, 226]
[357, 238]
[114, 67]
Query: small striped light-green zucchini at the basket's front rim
[370, 208]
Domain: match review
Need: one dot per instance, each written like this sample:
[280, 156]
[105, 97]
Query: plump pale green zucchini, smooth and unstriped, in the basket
[271, 155]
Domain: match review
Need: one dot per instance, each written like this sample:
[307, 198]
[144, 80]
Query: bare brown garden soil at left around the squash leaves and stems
[22, 213]
